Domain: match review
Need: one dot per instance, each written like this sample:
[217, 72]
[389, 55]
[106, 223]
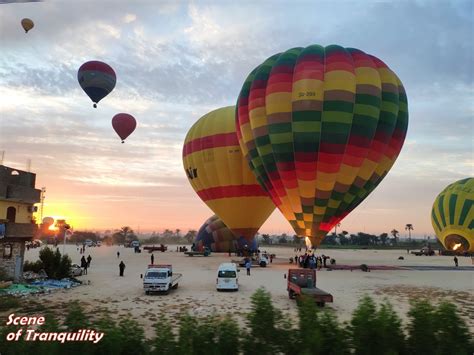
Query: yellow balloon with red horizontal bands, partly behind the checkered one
[219, 174]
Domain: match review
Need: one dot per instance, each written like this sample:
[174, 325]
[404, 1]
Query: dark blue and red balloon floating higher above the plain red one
[97, 79]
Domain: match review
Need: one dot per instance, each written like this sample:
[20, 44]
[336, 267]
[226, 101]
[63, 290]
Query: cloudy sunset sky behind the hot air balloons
[175, 61]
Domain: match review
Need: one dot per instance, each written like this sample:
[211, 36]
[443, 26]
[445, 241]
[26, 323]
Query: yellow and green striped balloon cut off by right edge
[452, 216]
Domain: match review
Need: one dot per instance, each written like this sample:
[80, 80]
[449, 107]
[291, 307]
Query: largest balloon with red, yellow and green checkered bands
[320, 128]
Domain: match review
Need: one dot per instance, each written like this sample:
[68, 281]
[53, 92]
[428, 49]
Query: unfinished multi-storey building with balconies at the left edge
[17, 226]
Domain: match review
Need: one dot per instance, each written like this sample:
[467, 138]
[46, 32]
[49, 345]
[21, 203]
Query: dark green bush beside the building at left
[55, 265]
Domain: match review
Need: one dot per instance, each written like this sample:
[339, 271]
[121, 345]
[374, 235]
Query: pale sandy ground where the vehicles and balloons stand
[196, 293]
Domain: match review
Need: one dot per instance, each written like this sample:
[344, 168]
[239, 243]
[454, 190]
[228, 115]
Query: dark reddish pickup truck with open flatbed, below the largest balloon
[303, 282]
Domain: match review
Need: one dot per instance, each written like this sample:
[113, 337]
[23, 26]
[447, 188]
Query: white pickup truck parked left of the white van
[160, 278]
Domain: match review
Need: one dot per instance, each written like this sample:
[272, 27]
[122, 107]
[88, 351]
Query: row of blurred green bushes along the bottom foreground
[373, 329]
